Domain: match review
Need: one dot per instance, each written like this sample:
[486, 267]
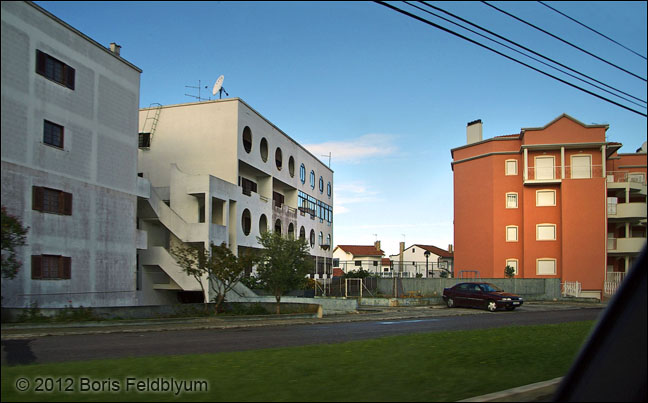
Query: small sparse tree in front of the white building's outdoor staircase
[218, 266]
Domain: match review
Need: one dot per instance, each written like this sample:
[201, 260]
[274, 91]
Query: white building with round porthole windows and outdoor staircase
[222, 173]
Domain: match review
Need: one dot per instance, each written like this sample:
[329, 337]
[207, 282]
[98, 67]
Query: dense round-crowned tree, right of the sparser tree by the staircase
[283, 265]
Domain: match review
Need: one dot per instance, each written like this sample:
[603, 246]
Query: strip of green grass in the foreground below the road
[445, 366]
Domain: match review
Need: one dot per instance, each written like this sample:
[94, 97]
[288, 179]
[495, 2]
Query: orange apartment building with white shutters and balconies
[552, 202]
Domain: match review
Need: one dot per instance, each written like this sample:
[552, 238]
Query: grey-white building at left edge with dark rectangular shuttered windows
[69, 162]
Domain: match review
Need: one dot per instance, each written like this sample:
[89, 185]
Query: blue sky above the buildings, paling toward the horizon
[386, 95]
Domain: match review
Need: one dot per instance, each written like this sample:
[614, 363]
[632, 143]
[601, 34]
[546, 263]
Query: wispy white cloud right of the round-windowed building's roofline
[354, 150]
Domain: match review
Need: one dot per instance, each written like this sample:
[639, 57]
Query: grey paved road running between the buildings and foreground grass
[133, 344]
